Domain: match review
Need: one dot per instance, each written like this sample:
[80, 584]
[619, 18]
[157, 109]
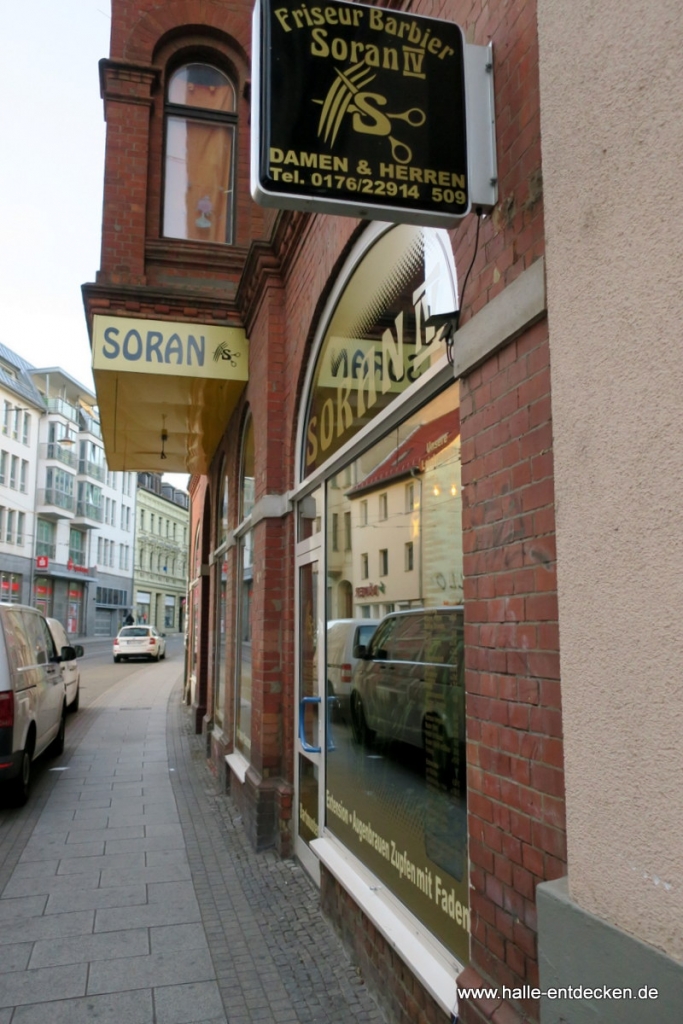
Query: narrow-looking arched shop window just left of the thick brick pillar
[243, 711]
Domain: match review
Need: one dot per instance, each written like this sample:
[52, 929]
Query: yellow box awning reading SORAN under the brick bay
[166, 391]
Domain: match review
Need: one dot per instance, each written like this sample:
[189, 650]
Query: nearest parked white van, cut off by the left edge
[33, 703]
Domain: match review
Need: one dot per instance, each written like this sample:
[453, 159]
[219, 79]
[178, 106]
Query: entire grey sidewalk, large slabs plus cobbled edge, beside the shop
[133, 898]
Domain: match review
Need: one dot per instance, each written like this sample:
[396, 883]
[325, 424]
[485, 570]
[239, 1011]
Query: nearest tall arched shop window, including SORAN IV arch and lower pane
[380, 391]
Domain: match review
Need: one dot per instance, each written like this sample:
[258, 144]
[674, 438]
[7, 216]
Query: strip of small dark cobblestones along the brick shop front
[278, 961]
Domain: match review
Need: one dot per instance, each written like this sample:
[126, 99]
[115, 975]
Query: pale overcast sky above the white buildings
[52, 168]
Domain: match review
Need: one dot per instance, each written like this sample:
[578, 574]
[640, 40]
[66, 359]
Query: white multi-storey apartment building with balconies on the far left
[67, 524]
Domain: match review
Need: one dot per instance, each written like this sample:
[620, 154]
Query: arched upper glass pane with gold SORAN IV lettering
[377, 344]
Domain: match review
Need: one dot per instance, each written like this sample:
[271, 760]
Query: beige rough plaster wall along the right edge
[612, 97]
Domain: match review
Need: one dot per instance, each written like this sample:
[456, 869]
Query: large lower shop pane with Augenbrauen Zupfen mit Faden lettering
[396, 775]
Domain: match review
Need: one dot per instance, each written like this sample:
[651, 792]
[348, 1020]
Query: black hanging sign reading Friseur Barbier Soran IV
[370, 113]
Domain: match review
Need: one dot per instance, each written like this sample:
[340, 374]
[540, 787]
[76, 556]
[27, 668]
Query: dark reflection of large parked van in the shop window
[409, 687]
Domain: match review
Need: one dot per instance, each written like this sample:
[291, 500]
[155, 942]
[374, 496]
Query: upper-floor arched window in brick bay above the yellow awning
[200, 144]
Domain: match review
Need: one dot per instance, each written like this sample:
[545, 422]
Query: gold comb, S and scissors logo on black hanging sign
[349, 95]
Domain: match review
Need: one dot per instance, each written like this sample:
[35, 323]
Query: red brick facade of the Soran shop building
[275, 282]
